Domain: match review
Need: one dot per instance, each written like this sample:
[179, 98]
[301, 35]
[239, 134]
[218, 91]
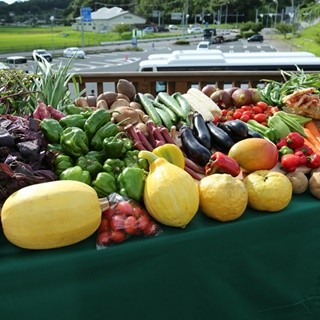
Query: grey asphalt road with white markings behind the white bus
[129, 60]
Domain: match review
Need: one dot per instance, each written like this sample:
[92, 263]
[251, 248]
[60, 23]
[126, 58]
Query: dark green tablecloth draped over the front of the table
[263, 266]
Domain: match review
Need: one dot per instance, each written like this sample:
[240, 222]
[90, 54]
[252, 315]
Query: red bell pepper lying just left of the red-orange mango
[221, 163]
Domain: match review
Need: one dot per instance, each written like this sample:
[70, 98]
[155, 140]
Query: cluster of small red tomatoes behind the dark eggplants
[259, 112]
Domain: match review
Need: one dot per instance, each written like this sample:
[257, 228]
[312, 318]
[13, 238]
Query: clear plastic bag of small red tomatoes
[121, 219]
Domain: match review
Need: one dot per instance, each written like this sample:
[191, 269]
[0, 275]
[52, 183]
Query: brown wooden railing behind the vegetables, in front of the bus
[145, 82]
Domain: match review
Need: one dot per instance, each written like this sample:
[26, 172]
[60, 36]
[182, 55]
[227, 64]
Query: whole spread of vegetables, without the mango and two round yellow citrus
[146, 153]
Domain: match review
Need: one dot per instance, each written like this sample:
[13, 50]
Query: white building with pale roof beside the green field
[104, 19]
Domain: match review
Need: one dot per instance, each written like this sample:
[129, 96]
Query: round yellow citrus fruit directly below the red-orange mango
[268, 190]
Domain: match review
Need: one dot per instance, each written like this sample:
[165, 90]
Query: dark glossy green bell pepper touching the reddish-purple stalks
[115, 147]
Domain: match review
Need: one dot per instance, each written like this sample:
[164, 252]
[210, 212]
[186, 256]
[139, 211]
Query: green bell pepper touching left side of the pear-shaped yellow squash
[131, 183]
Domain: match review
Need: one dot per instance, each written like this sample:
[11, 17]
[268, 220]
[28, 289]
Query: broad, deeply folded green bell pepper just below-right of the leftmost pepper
[74, 142]
